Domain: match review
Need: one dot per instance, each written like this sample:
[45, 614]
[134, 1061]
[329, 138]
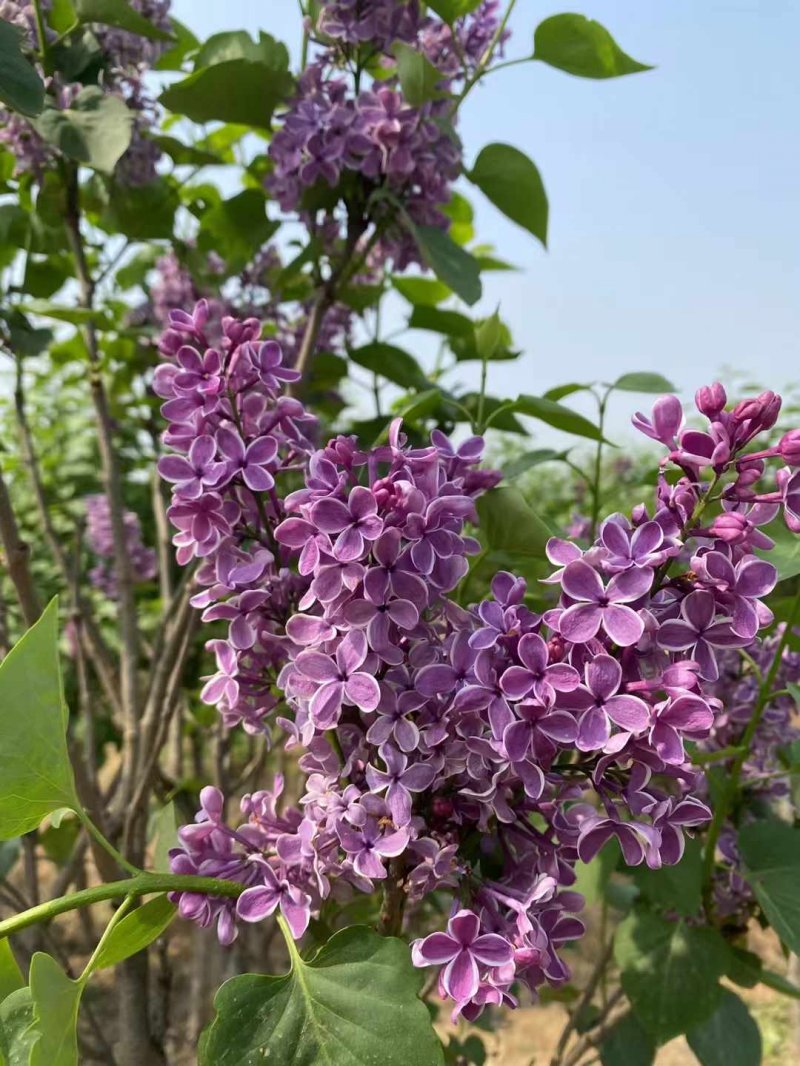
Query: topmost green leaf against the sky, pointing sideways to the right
[582, 47]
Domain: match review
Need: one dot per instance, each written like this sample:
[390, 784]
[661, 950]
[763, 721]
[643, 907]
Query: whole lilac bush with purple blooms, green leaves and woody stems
[451, 724]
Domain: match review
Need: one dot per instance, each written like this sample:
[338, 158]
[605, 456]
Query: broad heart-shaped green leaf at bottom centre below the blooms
[356, 1004]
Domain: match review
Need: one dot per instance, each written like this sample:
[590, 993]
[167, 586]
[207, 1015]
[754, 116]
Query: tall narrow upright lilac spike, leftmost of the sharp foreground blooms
[232, 435]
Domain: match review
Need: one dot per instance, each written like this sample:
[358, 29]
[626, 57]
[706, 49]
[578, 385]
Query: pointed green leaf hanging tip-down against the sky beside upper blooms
[507, 177]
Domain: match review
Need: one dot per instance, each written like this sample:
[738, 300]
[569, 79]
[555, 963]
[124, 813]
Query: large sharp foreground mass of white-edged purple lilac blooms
[481, 751]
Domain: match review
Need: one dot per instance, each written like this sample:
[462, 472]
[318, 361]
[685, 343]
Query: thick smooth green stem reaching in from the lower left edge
[145, 884]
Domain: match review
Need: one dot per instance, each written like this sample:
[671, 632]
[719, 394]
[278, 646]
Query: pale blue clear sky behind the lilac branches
[675, 195]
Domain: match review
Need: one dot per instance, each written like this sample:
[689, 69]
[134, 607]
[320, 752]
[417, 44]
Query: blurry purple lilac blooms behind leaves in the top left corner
[127, 58]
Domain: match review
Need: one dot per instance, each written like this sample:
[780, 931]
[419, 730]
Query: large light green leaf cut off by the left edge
[36, 774]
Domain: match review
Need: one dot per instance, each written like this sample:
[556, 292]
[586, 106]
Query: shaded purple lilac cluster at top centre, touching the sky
[408, 153]
